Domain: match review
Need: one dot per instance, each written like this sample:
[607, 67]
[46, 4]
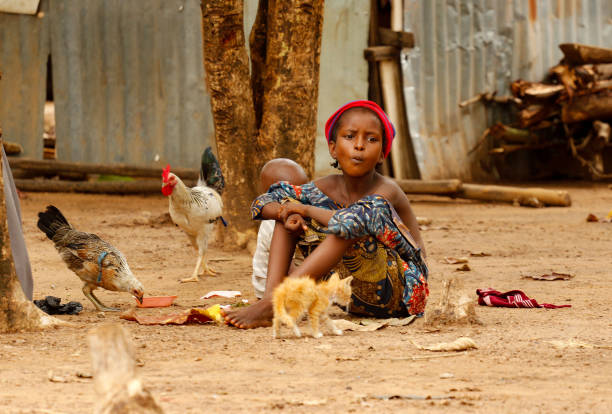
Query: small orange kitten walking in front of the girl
[296, 296]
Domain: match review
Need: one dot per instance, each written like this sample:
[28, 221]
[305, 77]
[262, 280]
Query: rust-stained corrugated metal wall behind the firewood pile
[464, 48]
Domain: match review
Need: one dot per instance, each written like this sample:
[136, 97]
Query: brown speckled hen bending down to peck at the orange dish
[95, 261]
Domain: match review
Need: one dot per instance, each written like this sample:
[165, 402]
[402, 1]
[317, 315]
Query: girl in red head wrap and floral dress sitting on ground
[351, 223]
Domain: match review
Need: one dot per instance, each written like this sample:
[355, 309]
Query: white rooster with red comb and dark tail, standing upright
[195, 210]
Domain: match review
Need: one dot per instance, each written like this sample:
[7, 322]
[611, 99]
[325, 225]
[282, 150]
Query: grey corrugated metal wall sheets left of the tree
[128, 80]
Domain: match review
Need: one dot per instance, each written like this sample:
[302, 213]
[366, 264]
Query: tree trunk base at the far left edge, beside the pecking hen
[16, 312]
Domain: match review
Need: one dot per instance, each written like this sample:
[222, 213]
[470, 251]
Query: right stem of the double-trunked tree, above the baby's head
[291, 80]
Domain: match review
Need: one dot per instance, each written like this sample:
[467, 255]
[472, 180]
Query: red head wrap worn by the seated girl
[386, 127]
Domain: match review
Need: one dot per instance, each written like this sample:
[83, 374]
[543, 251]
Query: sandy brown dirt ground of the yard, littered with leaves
[218, 369]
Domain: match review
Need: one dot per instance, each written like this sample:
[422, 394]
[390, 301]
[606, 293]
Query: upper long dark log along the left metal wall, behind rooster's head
[45, 166]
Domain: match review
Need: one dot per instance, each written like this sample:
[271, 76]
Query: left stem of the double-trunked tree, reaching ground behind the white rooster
[227, 75]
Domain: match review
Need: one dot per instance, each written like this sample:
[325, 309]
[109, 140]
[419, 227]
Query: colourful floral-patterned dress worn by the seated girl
[389, 274]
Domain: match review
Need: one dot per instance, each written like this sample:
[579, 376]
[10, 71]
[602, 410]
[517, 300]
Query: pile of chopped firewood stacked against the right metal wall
[569, 112]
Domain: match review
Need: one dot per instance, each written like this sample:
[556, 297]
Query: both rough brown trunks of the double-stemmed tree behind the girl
[271, 113]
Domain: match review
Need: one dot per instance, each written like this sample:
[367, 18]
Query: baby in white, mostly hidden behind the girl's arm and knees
[278, 169]
